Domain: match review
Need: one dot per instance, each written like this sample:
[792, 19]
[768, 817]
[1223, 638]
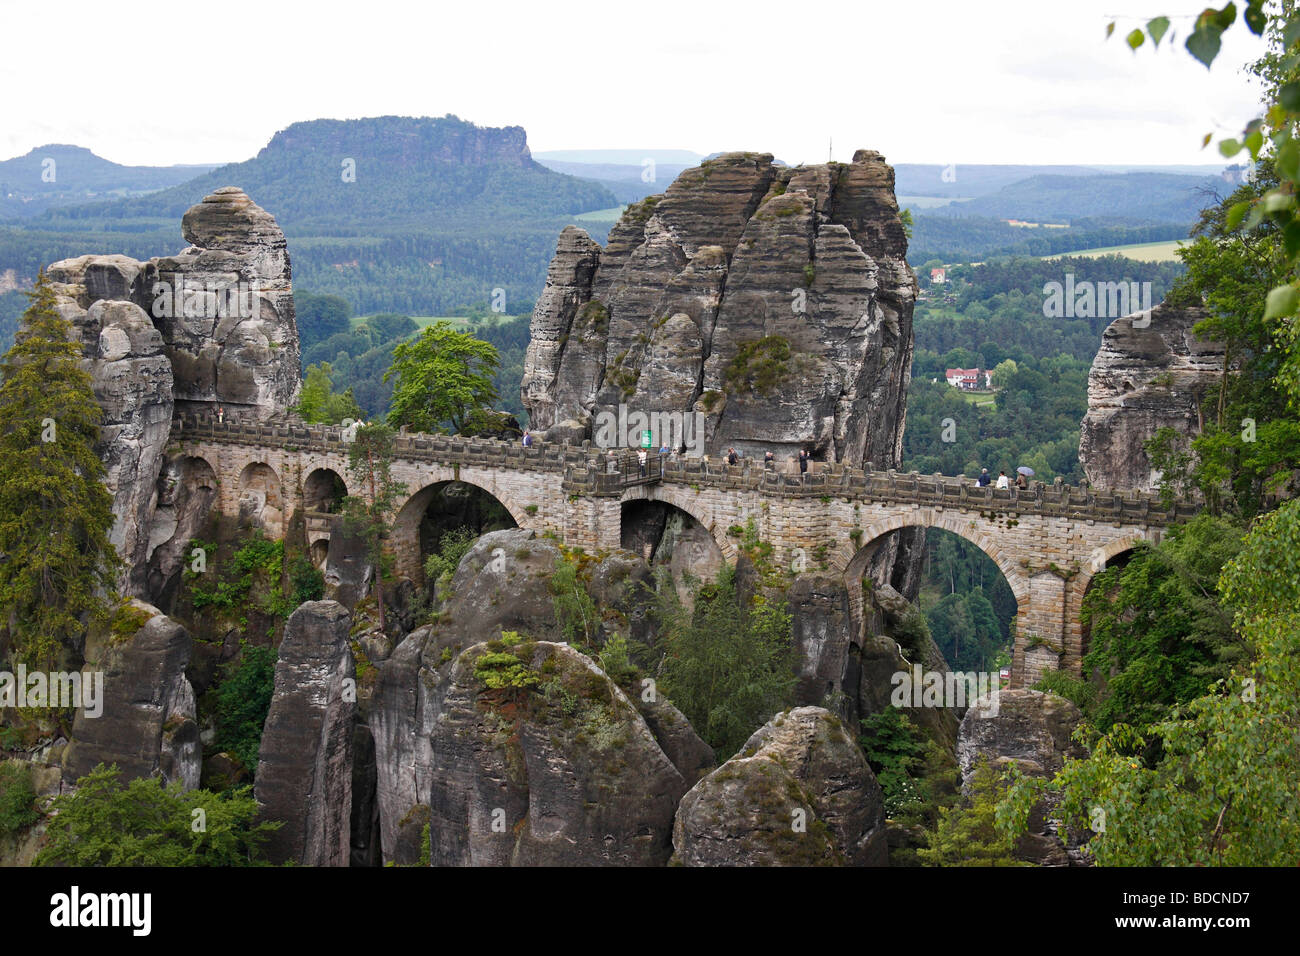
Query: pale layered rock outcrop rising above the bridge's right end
[1150, 374]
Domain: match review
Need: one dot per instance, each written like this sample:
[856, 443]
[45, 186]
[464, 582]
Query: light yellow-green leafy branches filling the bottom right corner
[1221, 789]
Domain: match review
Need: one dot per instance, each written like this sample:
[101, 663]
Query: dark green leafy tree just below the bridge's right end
[1159, 635]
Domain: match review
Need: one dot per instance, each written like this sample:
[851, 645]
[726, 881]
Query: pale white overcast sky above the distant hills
[922, 83]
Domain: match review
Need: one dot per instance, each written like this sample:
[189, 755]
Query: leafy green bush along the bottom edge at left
[144, 824]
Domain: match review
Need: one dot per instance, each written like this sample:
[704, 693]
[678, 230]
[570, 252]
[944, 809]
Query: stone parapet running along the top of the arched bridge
[587, 470]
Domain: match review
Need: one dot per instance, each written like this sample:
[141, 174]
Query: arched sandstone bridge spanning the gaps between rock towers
[1048, 542]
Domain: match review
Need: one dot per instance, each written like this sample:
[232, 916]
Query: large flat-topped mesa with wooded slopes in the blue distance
[395, 214]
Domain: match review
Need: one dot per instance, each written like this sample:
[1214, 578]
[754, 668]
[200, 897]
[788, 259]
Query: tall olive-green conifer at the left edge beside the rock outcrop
[58, 568]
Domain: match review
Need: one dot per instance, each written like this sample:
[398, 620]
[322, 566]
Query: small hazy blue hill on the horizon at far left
[59, 175]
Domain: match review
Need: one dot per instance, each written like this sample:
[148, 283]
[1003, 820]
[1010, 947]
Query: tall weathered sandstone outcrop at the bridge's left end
[210, 327]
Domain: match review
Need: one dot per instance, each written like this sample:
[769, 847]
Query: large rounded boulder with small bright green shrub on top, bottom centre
[562, 772]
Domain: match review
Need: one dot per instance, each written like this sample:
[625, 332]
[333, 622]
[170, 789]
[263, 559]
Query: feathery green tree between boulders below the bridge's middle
[729, 665]
